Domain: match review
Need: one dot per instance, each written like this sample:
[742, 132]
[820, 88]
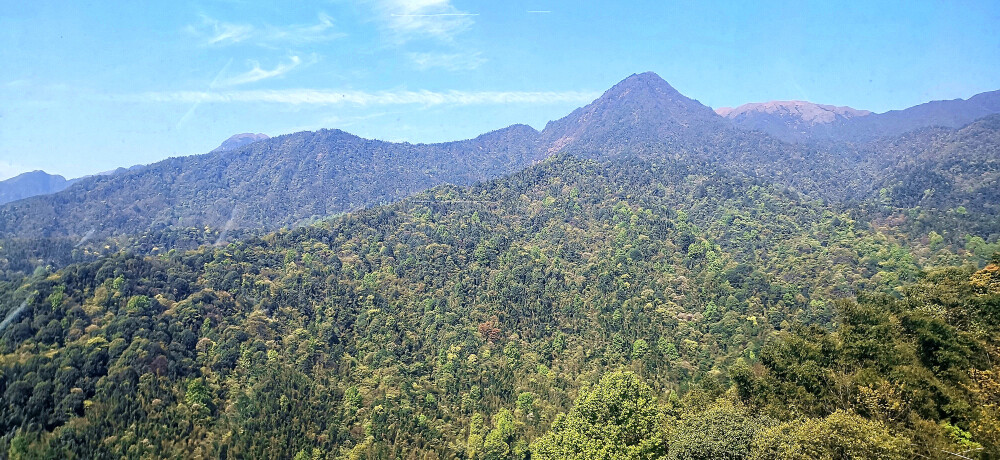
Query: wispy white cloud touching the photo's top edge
[409, 19]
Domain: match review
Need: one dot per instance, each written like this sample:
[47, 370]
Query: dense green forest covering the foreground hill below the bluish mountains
[575, 309]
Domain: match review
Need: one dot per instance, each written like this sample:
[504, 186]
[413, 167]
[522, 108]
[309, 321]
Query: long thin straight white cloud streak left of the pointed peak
[328, 97]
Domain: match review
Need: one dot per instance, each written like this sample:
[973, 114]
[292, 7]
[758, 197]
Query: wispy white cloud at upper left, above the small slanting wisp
[214, 32]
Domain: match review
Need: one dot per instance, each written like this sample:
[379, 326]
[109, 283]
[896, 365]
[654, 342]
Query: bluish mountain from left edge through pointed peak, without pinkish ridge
[288, 179]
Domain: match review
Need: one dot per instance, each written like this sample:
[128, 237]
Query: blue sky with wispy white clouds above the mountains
[90, 86]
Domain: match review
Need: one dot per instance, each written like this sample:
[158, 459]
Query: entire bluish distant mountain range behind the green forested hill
[252, 181]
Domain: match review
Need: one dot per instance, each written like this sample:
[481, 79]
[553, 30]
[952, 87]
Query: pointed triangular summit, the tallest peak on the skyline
[639, 111]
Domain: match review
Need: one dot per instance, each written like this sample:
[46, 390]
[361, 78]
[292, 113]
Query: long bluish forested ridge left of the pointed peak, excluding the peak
[266, 184]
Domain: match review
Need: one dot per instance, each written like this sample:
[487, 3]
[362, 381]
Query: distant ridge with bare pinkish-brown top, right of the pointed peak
[798, 121]
